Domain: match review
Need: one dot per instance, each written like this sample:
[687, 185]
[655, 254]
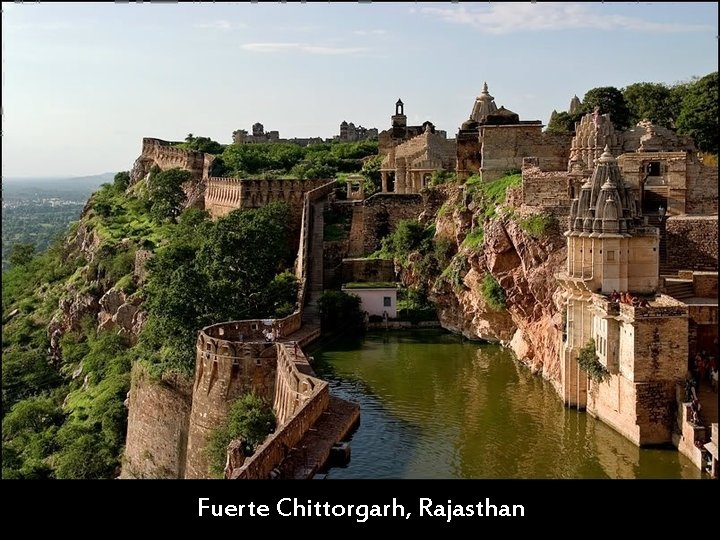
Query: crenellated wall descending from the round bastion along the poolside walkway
[300, 399]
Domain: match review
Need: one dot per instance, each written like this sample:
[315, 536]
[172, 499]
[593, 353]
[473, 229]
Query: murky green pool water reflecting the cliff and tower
[436, 406]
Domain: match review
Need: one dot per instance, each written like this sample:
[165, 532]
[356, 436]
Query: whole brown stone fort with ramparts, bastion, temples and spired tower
[640, 213]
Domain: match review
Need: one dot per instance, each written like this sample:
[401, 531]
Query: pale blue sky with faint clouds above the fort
[83, 83]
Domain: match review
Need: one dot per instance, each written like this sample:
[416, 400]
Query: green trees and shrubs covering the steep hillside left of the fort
[62, 398]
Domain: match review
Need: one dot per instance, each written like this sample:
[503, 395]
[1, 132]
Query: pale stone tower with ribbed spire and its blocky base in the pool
[641, 344]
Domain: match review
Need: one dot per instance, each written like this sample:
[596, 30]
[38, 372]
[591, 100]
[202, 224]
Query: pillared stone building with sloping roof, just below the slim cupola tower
[408, 167]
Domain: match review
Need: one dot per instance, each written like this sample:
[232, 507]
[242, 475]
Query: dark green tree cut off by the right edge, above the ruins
[698, 116]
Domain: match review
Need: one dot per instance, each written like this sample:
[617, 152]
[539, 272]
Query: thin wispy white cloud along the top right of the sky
[504, 18]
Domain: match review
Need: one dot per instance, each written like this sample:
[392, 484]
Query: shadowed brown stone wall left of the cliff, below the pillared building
[382, 213]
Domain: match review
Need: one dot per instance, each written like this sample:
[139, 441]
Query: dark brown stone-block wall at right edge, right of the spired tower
[692, 242]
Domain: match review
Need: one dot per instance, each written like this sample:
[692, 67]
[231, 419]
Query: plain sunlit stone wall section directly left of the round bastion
[158, 417]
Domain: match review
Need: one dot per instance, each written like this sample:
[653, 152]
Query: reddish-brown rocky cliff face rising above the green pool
[524, 266]
